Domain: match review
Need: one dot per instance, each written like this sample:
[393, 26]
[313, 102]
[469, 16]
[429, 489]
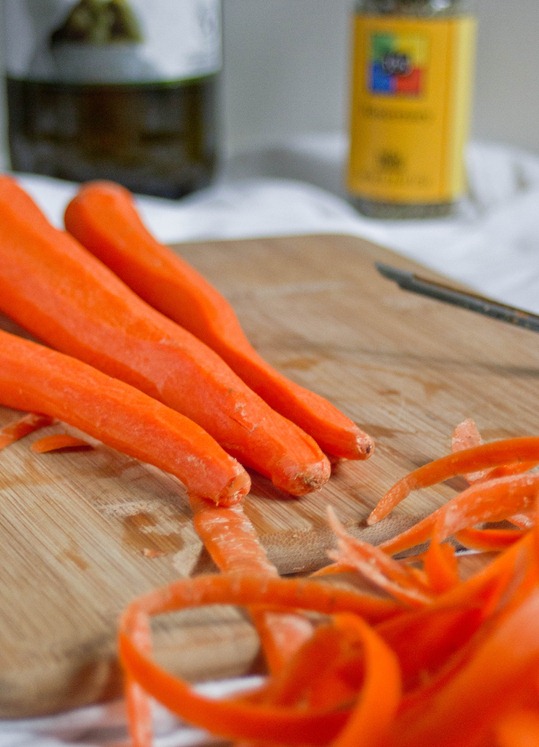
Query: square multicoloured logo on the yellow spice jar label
[397, 64]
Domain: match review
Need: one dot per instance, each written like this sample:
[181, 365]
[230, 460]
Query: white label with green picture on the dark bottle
[112, 41]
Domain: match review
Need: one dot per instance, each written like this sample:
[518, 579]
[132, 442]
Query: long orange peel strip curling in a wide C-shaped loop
[237, 718]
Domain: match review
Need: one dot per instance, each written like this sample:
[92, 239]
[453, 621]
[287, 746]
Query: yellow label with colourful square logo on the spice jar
[411, 92]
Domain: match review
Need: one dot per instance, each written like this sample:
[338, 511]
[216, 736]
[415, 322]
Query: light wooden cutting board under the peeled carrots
[83, 533]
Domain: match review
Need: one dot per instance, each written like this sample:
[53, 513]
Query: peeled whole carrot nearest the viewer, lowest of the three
[38, 378]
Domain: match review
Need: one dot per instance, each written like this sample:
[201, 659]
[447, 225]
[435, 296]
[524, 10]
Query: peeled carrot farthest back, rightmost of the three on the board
[104, 218]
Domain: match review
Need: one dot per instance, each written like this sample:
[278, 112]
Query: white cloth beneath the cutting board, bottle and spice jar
[492, 244]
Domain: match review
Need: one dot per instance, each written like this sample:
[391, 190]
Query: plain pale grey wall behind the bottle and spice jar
[286, 71]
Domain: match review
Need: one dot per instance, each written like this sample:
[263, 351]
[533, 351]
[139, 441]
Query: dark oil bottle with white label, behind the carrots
[114, 89]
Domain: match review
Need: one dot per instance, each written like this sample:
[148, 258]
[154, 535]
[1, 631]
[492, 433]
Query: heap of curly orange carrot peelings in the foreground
[401, 647]
